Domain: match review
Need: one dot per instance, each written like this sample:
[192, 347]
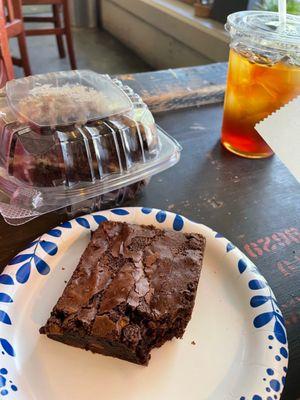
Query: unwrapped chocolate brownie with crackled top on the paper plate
[133, 289]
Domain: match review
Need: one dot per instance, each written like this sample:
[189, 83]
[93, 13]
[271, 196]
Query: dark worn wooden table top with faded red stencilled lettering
[254, 203]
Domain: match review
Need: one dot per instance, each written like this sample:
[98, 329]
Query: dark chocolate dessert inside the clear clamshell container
[37, 158]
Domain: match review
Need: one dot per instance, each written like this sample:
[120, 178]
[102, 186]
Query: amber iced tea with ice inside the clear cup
[254, 91]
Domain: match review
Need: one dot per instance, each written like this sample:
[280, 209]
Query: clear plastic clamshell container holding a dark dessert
[75, 139]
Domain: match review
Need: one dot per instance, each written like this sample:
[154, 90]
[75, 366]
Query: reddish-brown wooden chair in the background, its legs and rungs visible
[59, 29]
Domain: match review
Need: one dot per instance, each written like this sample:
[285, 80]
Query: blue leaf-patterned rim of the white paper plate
[38, 254]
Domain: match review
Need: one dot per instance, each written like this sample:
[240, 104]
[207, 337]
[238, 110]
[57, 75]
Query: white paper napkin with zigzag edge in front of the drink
[281, 131]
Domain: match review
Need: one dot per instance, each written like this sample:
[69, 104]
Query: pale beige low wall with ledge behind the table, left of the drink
[165, 33]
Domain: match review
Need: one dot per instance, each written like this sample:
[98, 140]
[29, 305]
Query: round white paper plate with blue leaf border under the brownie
[234, 347]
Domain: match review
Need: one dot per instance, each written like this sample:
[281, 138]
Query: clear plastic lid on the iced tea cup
[263, 28]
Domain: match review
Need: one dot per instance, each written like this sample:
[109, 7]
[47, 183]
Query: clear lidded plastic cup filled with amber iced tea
[263, 75]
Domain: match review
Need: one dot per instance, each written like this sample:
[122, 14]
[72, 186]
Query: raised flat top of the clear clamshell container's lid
[65, 98]
